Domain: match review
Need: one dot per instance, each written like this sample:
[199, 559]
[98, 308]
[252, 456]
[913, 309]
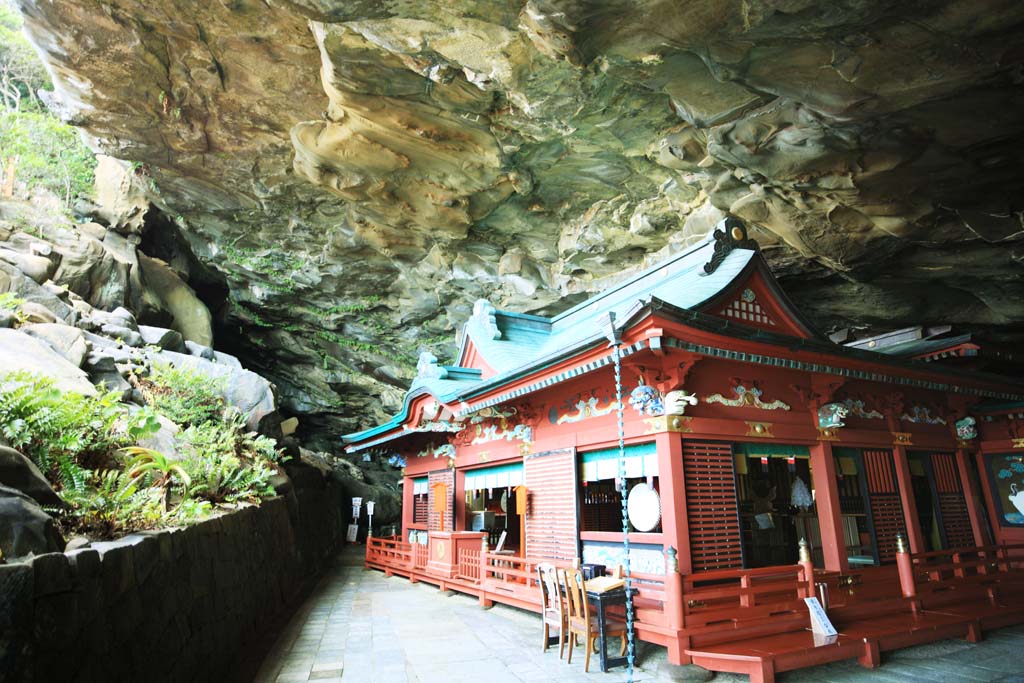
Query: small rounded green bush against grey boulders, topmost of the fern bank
[182, 396]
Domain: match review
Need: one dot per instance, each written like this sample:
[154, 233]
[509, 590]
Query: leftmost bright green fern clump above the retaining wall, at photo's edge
[57, 430]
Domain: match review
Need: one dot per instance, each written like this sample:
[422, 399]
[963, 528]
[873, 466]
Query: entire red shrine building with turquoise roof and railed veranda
[744, 432]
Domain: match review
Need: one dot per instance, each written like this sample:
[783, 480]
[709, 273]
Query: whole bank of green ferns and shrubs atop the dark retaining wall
[111, 488]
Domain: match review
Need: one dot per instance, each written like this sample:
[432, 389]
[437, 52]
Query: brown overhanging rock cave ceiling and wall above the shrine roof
[355, 175]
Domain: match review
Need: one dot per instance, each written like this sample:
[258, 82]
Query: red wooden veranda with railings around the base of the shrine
[755, 621]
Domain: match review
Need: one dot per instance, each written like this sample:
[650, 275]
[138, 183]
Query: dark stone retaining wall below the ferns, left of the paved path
[191, 605]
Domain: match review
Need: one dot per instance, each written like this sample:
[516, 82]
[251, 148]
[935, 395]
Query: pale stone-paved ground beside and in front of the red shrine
[361, 626]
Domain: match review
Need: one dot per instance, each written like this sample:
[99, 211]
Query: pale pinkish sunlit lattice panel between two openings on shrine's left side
[552, 526]
